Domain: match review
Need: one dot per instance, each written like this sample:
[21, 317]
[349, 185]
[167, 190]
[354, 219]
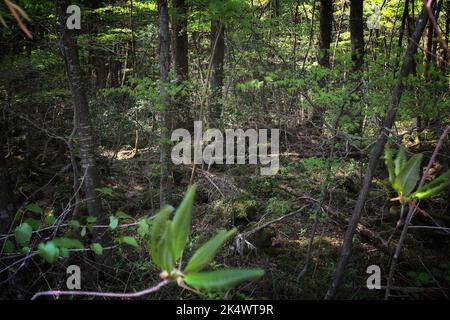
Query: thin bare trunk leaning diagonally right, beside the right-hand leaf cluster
[376, 153]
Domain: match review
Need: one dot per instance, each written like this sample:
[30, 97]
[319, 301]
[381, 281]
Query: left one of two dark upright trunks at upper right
[326, 18]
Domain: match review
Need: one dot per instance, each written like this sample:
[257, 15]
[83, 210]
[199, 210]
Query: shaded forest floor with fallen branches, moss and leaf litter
[273, 237]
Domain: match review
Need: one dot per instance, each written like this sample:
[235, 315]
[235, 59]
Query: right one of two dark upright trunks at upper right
[357, 33]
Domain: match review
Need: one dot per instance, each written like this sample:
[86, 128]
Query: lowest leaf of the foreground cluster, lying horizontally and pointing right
[221, 279]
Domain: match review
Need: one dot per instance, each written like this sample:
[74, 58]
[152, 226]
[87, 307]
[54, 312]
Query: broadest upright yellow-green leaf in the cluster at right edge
[406, 180]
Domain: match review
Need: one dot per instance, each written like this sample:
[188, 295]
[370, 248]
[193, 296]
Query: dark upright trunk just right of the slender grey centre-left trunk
[182, 113]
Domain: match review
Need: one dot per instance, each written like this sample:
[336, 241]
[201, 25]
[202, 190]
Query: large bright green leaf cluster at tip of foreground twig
[168, 240]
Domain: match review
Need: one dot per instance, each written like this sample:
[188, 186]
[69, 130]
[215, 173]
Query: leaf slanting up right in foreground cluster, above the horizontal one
[206, 253]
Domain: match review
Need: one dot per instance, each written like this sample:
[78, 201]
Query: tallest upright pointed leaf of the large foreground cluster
[181, 225]
